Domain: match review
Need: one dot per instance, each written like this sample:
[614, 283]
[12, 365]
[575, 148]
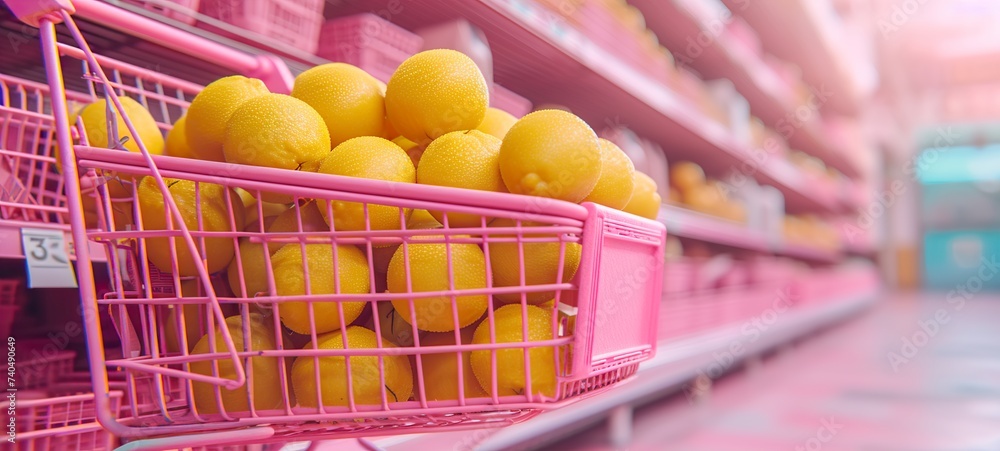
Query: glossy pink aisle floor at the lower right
[878, 382]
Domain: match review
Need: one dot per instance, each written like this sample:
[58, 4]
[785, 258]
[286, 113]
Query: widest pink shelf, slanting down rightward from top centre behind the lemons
[539, 56]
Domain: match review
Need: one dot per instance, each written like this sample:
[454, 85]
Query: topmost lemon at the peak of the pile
[435, 92]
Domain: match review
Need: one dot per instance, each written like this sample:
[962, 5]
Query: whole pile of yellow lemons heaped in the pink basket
[430, 124]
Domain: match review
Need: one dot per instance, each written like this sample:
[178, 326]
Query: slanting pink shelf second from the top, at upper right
[769, 97]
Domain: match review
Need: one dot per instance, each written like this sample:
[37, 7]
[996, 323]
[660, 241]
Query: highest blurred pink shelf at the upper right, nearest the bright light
[799, 31]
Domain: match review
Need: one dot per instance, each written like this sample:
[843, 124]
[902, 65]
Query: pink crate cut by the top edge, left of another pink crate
[292, 22]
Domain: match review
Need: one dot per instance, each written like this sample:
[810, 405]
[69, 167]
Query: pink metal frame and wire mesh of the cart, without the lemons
[603, 320]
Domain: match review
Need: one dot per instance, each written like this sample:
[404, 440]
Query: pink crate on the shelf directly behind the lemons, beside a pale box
[369, 42]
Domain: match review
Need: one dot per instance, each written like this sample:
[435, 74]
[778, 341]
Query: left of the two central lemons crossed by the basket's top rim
[368, 157]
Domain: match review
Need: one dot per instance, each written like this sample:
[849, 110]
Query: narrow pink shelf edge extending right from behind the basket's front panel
[698, 226]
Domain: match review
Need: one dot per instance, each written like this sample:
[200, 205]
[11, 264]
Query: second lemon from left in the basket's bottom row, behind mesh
[366, 384]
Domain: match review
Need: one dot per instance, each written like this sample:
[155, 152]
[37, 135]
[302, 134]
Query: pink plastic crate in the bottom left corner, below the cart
[61, 422]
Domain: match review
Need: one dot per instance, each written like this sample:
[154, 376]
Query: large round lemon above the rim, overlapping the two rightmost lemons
[551, 153]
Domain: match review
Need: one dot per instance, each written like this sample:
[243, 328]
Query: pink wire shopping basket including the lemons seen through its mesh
[350, 325]
